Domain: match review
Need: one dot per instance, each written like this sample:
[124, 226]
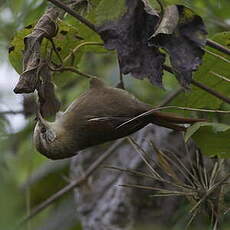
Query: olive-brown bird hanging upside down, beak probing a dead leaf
[99, 115]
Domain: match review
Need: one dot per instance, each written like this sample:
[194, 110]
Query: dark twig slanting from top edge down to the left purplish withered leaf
[74, 14]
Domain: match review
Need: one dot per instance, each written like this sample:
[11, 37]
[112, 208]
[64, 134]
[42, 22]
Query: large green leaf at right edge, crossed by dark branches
[199, 98]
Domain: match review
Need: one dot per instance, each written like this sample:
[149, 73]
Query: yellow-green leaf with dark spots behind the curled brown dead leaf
[65, 41]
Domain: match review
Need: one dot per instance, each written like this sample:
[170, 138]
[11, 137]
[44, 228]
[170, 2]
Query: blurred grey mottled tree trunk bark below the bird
[103, 205]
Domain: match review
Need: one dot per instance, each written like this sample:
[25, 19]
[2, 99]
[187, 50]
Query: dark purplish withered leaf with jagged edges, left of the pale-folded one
[129, 37]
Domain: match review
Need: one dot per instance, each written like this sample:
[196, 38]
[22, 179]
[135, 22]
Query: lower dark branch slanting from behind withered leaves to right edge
[203, 87]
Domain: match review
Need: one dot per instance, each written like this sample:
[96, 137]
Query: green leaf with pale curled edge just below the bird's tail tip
[212, 138]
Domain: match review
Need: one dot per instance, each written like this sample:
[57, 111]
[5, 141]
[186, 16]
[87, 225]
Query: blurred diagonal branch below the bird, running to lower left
[75, 183]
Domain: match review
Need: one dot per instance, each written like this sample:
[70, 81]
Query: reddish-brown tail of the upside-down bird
[166, 120]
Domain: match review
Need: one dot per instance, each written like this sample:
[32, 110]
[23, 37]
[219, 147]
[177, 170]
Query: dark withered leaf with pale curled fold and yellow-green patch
[182, 34]
